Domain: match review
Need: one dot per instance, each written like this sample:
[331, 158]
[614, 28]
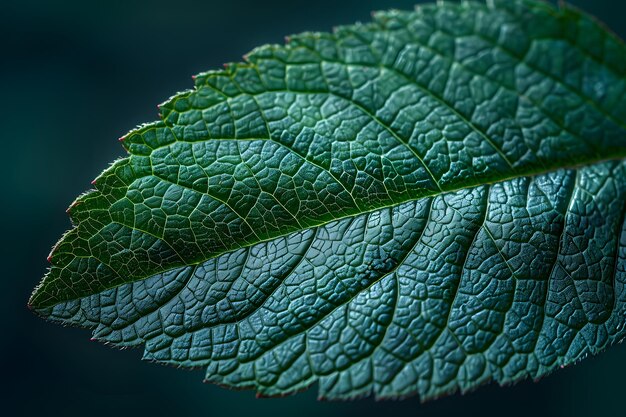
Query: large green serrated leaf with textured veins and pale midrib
[411, 206]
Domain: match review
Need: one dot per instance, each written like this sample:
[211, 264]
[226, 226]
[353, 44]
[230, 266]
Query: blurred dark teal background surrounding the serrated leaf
[73, 78]
